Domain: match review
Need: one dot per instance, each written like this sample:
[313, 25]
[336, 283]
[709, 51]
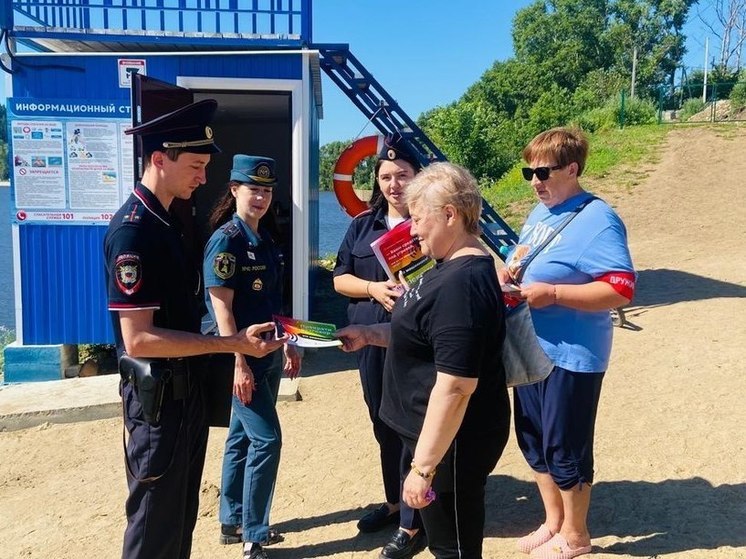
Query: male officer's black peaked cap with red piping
[186, 129]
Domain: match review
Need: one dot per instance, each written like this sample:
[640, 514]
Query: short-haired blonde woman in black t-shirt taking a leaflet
[444, 387]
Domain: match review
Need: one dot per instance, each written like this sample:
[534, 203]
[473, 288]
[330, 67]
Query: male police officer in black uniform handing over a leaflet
[154, 293]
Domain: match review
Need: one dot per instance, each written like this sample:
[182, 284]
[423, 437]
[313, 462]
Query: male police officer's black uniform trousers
[161, 513]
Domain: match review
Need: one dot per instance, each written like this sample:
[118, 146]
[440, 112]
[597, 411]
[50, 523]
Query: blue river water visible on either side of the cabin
[333, 224]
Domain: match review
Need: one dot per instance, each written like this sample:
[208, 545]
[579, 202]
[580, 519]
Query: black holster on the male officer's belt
[149, 378]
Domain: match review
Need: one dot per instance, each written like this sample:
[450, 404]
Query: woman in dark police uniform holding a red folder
[359, 276]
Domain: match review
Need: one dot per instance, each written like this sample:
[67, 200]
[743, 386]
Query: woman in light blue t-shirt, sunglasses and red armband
[570, 286]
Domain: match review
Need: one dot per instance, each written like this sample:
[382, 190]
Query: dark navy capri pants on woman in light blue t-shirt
[555, 421]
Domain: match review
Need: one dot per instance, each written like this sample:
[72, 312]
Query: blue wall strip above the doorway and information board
[96, 77]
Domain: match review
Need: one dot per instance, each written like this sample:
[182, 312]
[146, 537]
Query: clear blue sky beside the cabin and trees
[425, 53]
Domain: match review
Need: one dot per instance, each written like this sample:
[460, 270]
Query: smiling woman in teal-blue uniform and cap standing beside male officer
[243, 272]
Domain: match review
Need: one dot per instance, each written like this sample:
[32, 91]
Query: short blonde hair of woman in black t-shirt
[442, 184]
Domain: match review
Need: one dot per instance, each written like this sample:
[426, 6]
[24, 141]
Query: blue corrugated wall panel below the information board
[62, 285]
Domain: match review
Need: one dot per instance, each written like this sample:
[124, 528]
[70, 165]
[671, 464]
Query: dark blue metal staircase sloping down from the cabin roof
[387, 116]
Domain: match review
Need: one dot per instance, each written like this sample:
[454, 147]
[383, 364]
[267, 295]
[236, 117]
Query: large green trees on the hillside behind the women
[572, 58]
